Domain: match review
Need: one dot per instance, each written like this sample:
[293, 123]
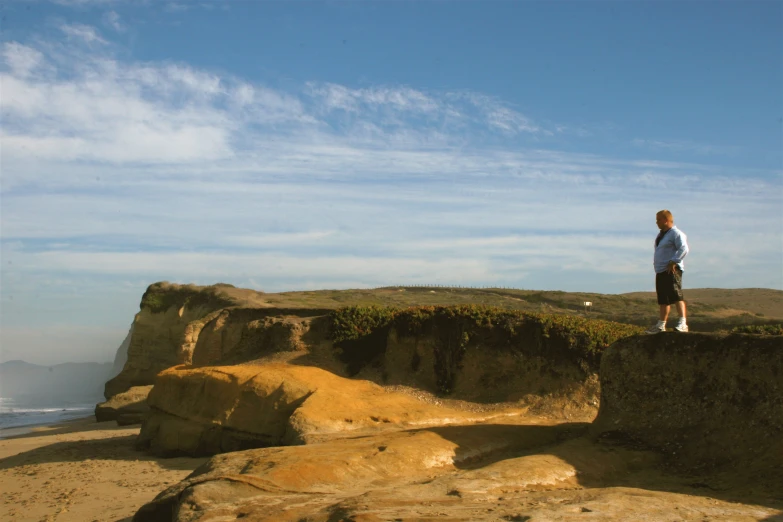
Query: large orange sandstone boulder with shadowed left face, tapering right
[209, 410]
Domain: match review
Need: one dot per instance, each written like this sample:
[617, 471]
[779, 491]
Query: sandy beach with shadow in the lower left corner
[80, 471]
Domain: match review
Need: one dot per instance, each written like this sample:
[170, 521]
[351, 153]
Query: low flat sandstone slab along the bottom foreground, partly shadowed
[466, 473]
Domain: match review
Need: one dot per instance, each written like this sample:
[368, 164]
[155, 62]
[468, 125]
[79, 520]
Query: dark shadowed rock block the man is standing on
[707, 401]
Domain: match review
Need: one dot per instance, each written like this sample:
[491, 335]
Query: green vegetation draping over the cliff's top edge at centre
[360, 334]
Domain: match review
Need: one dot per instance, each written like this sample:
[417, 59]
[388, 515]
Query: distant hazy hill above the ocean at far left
[20, 379]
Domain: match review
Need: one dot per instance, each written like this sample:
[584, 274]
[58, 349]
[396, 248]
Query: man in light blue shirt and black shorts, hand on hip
[670, 248]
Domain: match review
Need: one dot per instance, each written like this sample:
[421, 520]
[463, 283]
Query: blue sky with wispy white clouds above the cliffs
[299, 145]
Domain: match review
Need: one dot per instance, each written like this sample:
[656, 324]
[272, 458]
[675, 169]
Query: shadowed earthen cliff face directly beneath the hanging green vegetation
[487, 371]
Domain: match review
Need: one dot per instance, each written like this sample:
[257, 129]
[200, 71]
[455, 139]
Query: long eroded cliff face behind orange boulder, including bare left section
[485, 372]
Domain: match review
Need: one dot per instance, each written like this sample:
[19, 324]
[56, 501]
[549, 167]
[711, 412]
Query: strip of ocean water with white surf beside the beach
[30, 412]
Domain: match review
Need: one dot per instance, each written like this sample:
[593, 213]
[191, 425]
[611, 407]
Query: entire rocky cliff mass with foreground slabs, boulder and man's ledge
[453, 415]
